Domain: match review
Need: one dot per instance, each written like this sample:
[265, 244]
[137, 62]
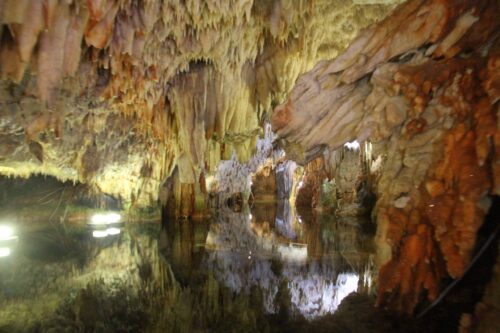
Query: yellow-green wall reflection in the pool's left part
[63, 279]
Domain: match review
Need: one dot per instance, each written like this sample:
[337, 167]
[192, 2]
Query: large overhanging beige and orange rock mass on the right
[422, 86]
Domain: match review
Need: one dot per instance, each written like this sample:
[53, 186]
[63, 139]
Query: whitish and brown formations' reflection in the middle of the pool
[243, 252]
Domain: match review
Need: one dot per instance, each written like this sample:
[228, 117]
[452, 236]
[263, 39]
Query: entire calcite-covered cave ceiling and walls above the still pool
[170, 102]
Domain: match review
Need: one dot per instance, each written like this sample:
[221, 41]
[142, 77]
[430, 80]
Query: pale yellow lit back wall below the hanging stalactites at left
[80, 141]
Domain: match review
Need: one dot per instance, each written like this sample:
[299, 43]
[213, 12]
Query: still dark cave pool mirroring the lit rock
[263, 269]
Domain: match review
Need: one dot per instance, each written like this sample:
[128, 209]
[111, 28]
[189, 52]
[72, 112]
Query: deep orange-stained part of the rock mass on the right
[436, 236]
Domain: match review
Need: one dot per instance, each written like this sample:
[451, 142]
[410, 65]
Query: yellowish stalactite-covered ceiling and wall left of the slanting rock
[116, 94]
